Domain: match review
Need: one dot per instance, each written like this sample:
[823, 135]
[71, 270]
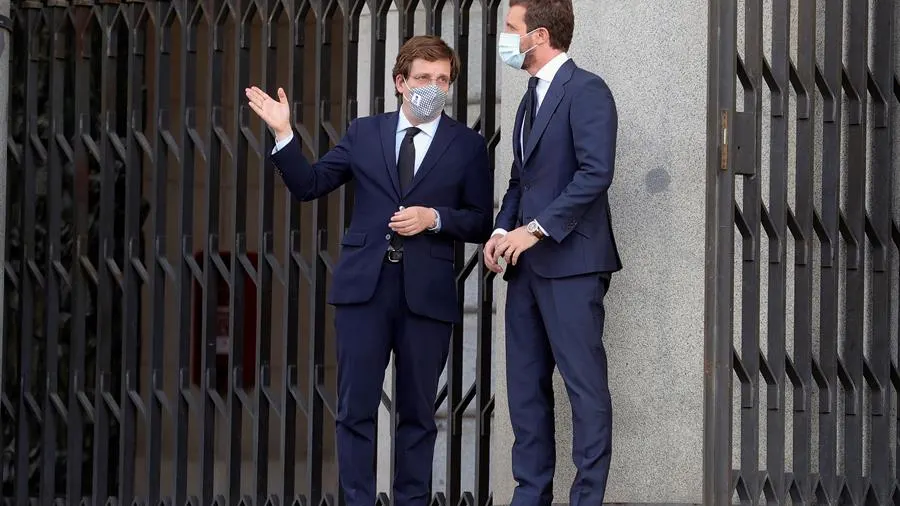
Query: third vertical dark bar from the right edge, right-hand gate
[828, 296]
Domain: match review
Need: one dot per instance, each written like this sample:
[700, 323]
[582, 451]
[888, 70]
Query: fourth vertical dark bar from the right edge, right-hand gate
[803, 268]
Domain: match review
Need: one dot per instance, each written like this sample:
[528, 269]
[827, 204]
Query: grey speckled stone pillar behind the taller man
[654, 60]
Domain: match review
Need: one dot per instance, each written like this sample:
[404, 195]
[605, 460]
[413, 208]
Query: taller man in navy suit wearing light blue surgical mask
[555, 233]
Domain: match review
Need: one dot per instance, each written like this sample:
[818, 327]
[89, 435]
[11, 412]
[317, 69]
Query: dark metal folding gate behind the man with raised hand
[166, 338]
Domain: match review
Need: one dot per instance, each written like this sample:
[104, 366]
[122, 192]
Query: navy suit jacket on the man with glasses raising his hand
[454, 178]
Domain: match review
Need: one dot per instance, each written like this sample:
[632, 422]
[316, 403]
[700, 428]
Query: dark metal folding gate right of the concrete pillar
[802, 299]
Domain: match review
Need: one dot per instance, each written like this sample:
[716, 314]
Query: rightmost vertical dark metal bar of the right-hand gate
[881, 196]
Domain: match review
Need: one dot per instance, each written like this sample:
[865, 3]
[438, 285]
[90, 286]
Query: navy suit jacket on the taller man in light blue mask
[563, 177]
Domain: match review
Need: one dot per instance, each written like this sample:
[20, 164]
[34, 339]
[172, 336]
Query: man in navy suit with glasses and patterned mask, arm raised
[423, 182]
